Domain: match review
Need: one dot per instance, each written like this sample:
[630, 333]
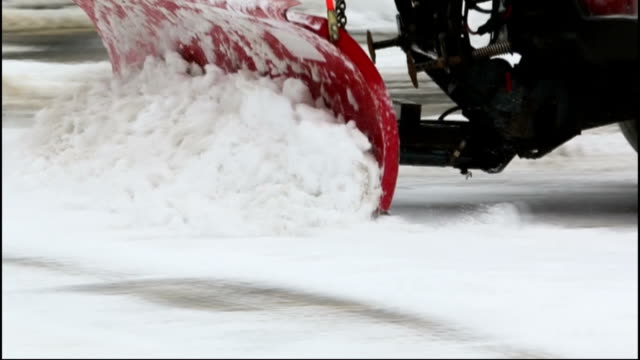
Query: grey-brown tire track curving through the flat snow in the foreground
[223, 295]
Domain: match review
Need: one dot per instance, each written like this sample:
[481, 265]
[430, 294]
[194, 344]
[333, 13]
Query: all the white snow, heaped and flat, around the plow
[187, 266]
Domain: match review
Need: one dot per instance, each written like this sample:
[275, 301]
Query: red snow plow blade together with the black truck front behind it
[577, 68]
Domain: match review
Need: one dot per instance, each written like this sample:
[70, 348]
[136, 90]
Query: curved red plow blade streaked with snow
[264, 37]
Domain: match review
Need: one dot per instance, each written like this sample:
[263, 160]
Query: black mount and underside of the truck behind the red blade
[577, 72]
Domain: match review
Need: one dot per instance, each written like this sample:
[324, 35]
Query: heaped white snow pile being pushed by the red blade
[207, 153]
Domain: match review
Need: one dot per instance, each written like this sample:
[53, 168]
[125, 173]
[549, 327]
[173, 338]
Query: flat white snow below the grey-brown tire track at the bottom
[94, 327]
